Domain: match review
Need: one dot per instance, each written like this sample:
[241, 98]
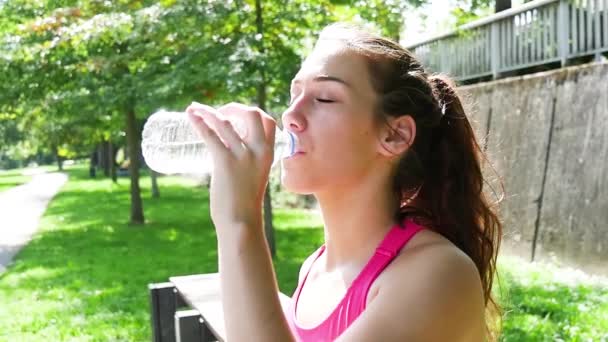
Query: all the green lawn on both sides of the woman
[84, 276]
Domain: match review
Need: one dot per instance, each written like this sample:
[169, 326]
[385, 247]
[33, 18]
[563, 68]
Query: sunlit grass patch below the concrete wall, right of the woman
[542, 302]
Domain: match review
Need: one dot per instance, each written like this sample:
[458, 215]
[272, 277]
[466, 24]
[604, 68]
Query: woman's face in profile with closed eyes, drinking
[332, 114]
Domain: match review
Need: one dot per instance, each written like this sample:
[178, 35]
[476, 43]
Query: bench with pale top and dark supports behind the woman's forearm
[203, 317]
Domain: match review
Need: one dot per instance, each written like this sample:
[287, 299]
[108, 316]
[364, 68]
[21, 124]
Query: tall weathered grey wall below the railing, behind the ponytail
[547, 138]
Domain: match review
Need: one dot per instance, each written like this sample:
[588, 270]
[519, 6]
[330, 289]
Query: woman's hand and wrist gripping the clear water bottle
[241, 165]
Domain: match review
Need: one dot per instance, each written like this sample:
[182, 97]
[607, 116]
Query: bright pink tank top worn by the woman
[353, 302]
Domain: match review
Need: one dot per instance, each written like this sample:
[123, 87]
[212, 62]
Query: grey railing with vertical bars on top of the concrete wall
[539, 32]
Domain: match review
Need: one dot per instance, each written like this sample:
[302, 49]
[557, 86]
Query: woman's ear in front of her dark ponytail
[397, 136]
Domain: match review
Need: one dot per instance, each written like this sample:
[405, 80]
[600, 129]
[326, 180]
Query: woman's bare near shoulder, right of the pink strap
[434, 287]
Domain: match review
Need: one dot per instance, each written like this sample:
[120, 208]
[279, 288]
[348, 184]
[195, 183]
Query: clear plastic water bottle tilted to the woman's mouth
[171, 145]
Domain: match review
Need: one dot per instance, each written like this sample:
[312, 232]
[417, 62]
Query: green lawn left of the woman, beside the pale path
[85, 274]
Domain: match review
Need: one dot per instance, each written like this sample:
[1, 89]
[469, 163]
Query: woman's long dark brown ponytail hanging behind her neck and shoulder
[450, 196]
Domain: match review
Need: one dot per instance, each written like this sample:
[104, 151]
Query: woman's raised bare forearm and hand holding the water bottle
[252, 310]
